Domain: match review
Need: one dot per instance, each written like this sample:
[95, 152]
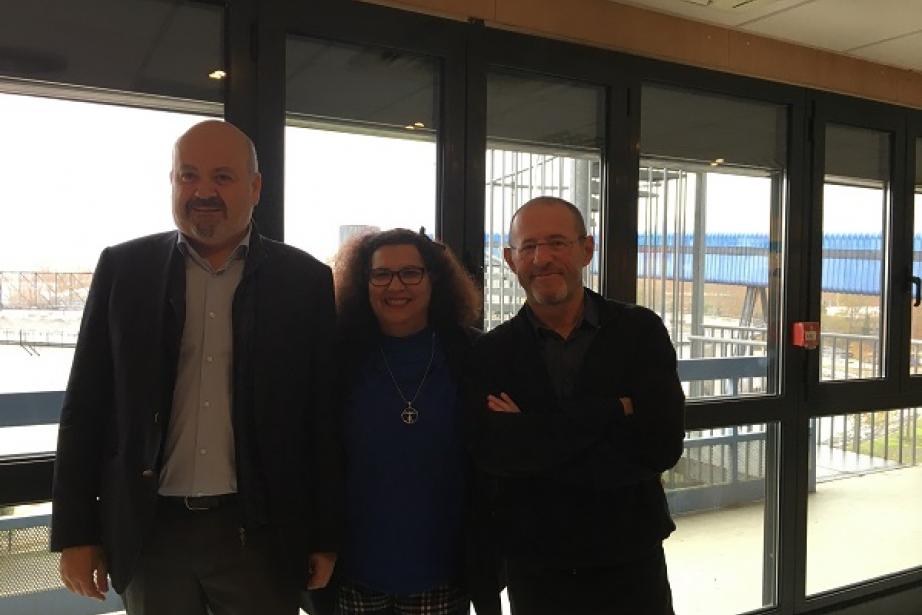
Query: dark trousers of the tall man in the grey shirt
[202, 562]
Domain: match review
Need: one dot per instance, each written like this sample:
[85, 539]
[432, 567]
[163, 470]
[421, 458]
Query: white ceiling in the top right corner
[882, 31]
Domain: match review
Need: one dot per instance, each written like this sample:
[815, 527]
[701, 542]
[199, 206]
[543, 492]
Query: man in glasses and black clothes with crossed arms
[576, 410]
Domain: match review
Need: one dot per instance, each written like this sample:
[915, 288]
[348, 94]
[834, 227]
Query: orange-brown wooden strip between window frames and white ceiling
[603, 23]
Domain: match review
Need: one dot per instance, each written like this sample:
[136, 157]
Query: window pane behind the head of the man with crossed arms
[544, 138]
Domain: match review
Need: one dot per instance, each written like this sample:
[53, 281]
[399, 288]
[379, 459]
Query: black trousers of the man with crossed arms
[639, 587]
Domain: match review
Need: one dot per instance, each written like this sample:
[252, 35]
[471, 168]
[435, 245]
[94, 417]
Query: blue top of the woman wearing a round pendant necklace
[405, 484]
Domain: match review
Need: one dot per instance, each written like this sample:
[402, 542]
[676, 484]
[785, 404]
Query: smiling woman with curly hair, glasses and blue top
[405, 307]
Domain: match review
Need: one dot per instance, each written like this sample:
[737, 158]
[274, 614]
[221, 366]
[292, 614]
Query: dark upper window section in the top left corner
[163, 48]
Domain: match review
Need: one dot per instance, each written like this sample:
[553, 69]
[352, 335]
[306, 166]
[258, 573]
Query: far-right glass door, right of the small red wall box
[864, 465]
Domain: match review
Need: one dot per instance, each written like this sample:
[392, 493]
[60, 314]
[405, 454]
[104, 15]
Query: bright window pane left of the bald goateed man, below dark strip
[67, 148]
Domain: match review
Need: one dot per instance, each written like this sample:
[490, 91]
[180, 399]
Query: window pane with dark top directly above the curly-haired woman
[360, 143]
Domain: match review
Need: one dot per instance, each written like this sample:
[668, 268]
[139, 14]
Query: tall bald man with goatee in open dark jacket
[198, 464]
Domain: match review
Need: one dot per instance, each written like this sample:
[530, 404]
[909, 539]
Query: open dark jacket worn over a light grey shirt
[118, 400]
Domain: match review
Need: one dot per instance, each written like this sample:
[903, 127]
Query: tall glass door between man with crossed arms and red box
[710, 254]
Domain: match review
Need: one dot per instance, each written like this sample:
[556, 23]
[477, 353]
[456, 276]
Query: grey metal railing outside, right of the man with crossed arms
[843, 445]
